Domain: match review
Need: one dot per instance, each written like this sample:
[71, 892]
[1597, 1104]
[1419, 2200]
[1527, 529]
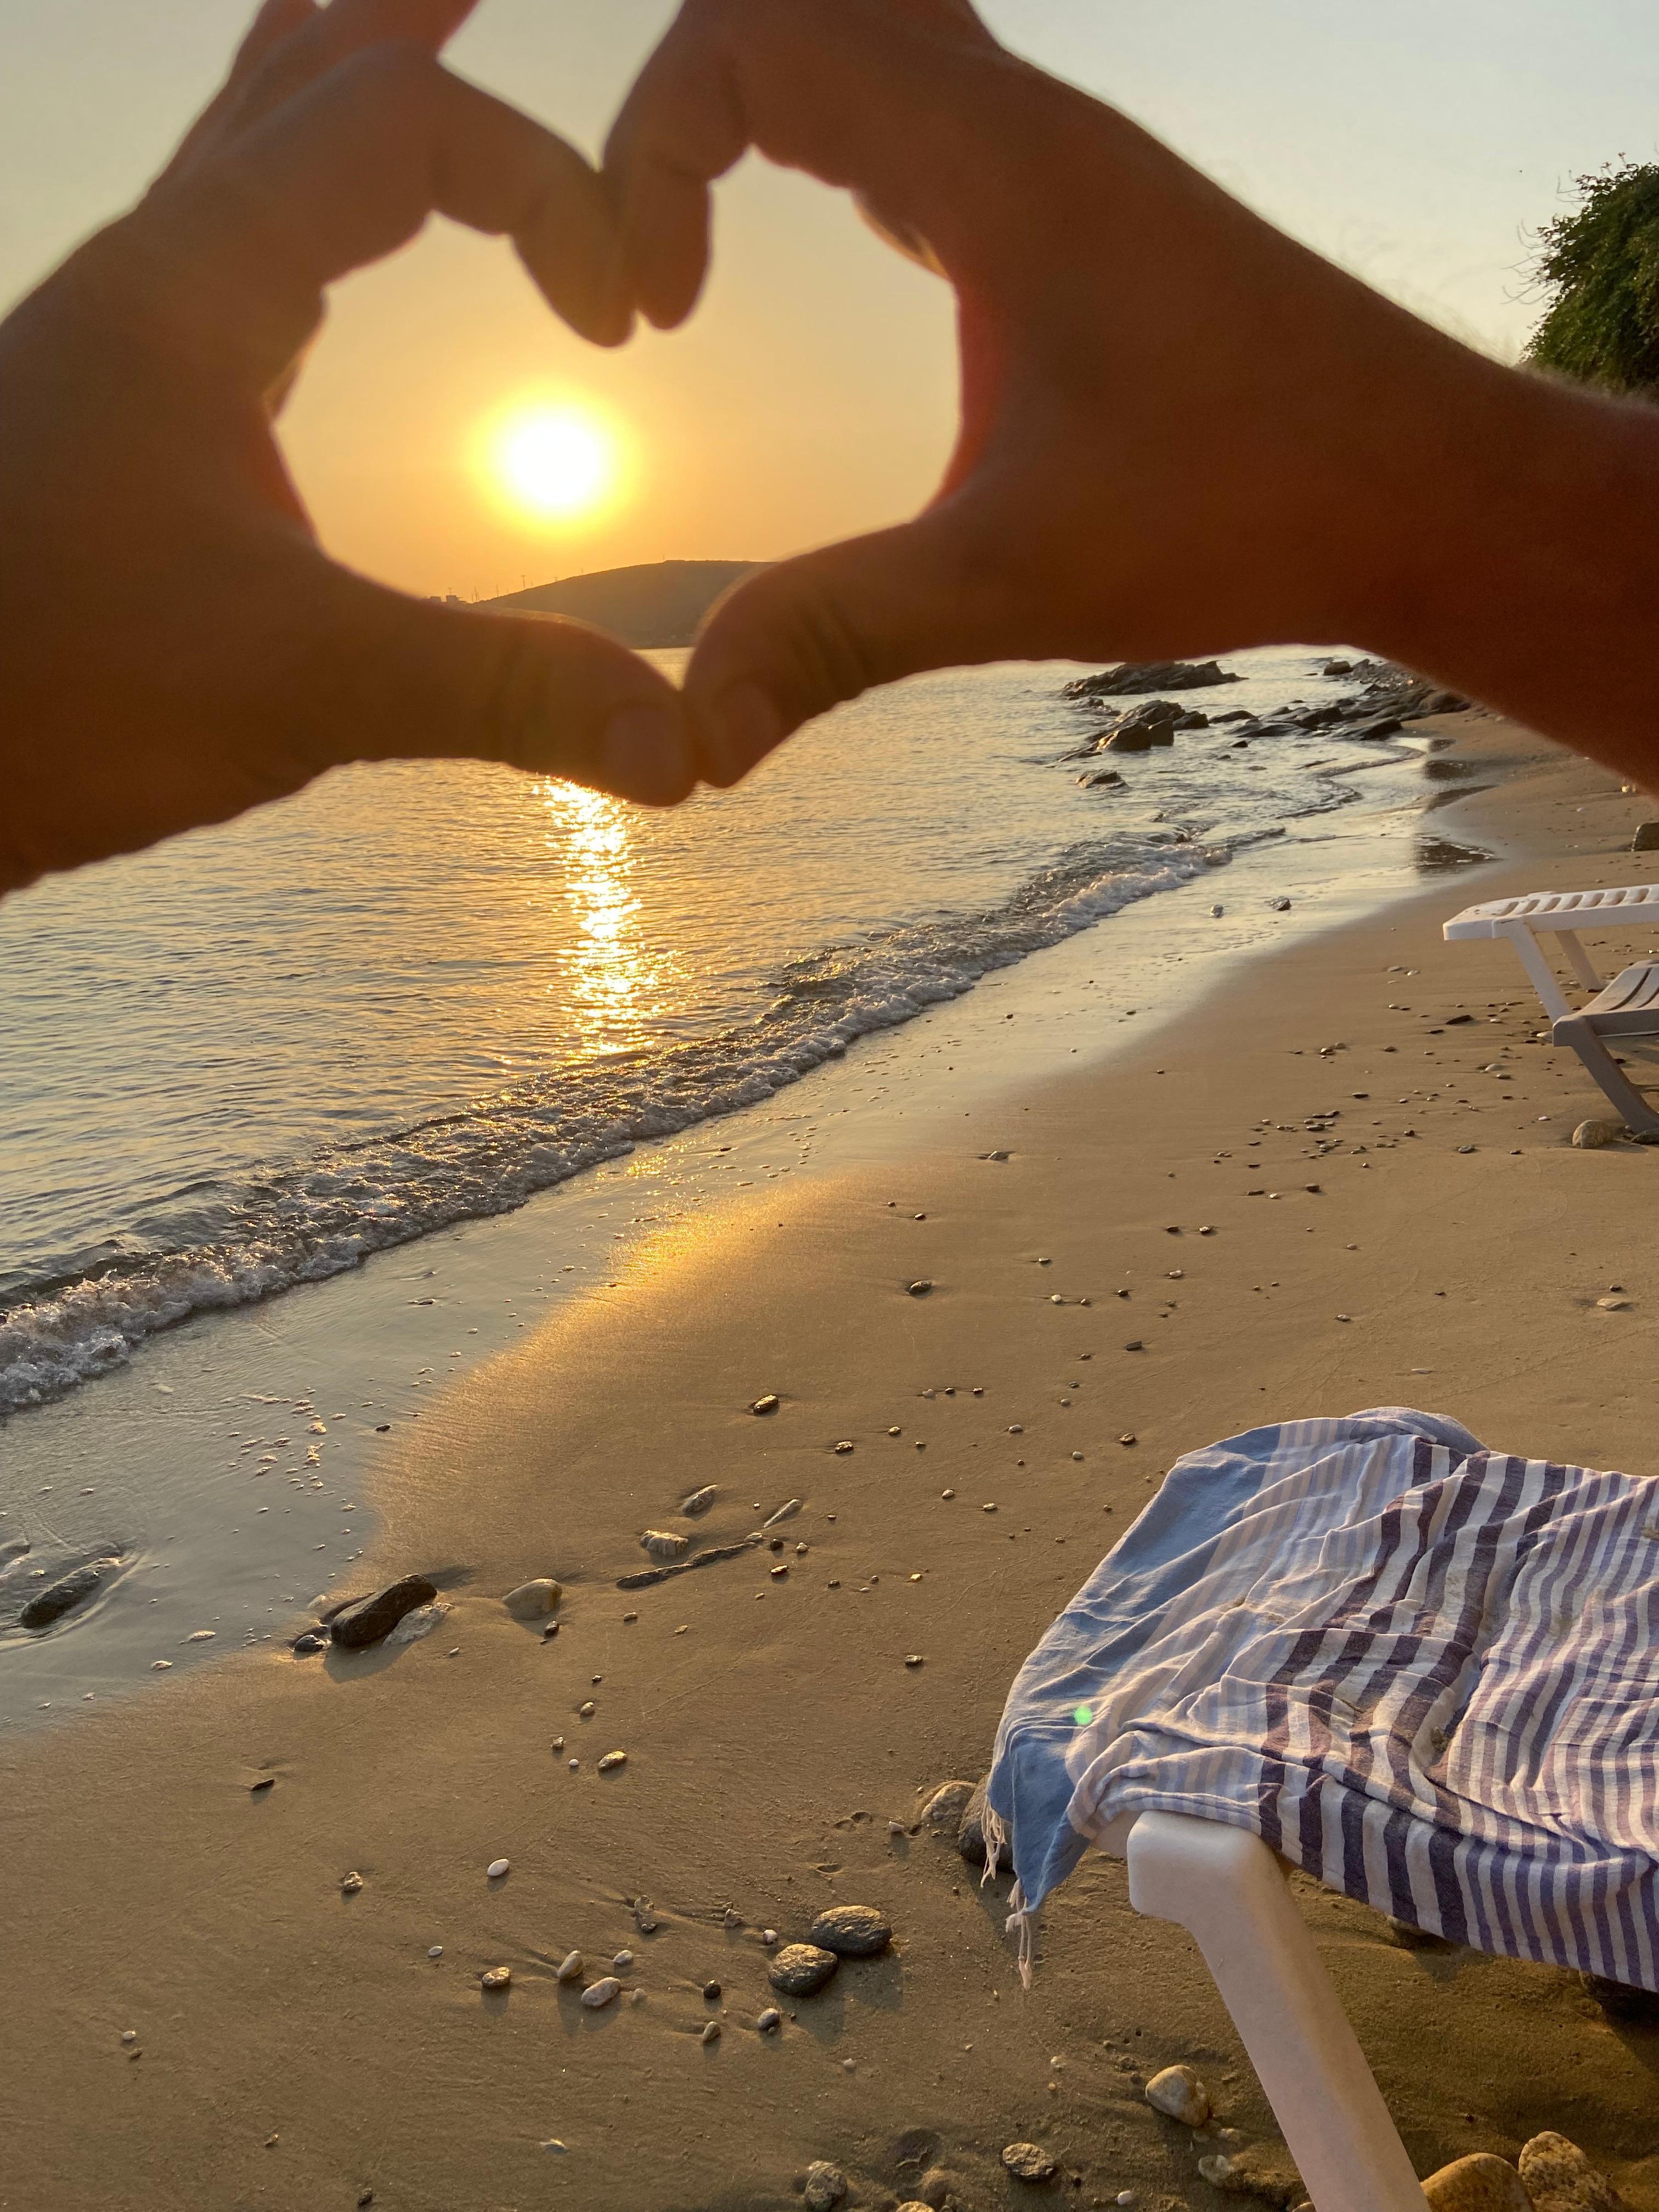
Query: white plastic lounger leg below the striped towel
[1227, 1888]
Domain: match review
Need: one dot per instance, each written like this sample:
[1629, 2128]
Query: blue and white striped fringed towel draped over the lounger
[1421, 1671]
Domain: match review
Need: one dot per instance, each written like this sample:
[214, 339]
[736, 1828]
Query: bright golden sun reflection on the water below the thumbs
[612, 981]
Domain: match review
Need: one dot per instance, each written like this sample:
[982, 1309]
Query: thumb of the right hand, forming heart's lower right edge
[813, 632]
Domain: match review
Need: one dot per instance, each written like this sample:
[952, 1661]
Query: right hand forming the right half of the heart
[1180, 430]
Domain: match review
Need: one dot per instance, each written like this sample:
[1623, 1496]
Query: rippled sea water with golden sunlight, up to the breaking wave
[421, 994]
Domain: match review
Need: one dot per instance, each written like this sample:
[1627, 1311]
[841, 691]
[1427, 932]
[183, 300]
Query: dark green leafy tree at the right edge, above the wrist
[1600, 275]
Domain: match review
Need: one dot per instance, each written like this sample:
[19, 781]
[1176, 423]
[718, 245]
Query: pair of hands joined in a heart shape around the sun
[1180, 430]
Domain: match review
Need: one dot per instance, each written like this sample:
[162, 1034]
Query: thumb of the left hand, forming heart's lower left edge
[379, 676]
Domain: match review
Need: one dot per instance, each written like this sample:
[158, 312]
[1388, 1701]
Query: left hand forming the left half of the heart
[174, 643]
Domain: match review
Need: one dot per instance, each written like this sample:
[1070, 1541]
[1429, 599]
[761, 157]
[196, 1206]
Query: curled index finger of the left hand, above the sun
[348, 174]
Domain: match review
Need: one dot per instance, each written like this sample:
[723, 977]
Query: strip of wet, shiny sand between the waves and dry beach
[238, 1461]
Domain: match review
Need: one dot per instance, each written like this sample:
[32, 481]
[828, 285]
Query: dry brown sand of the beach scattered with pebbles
[302, 2049]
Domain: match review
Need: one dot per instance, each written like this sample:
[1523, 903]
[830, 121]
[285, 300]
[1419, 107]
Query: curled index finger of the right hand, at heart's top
[862, 94]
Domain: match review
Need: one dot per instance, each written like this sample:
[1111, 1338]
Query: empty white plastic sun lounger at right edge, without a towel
[1627, 1008]
